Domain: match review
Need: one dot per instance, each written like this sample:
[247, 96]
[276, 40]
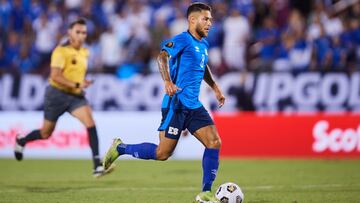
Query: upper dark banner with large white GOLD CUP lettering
[269, 92]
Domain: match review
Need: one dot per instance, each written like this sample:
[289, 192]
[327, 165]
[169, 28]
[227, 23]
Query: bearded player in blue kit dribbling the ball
[183, 65]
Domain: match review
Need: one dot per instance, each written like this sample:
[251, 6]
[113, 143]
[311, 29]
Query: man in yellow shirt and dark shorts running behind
[66, 93]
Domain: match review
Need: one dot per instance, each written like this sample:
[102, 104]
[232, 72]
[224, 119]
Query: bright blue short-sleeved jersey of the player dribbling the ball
[188, 59]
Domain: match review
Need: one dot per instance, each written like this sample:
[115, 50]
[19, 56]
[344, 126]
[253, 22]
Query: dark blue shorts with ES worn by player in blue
[176, 120]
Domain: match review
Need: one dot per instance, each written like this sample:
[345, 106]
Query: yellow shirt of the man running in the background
[73, 63]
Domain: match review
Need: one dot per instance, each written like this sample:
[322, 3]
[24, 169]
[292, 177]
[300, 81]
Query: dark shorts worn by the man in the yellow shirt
[58, 102]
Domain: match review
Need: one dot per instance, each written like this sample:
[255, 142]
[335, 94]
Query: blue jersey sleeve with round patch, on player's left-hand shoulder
[175, 45]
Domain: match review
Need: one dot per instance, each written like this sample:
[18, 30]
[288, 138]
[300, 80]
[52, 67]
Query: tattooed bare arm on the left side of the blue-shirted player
[163, 63]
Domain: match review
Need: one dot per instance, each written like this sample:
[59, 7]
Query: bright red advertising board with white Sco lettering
[314, 135]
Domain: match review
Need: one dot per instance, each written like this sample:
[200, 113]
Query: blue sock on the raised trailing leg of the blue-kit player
[140, 151]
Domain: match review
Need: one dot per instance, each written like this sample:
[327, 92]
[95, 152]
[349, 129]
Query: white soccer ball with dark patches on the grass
[229, 193]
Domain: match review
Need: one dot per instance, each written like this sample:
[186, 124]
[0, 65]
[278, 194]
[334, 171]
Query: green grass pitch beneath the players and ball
[262, 181]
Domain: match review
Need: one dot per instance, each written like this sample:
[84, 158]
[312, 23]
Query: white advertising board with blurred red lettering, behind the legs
[70, 139]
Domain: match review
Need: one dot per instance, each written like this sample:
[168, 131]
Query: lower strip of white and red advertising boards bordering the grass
[242, 134]
